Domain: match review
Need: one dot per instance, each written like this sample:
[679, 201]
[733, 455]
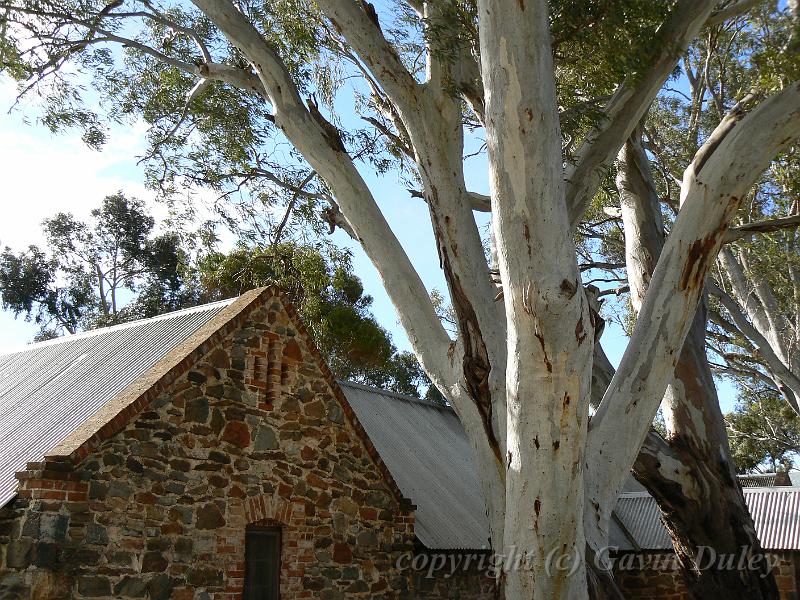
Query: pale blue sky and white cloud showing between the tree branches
[43, 174]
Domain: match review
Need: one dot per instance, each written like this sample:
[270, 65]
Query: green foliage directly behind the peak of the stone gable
[331, 302]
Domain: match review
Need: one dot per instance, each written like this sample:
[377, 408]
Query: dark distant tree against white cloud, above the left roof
[108, 270]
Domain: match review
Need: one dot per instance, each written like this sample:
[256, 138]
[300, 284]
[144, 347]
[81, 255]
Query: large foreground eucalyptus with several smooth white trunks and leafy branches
[556, 89]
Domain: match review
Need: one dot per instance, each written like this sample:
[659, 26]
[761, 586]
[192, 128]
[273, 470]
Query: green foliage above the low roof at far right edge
[764, 432]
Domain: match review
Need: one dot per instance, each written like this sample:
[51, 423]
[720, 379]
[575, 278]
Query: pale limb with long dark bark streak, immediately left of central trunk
[432, 119]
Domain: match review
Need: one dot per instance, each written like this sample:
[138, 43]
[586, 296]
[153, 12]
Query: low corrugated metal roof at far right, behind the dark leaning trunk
[775, 511]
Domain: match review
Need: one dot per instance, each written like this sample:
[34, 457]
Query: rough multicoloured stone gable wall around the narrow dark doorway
[253, 432]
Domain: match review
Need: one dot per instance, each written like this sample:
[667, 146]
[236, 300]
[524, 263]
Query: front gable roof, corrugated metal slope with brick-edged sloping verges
[61, 398]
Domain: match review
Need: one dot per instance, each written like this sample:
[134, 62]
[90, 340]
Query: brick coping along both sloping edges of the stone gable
[115, 415]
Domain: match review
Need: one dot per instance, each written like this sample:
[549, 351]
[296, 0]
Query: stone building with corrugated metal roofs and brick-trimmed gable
[210, 454]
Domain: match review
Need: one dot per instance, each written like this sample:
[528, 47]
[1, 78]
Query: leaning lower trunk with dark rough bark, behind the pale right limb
[702, 505]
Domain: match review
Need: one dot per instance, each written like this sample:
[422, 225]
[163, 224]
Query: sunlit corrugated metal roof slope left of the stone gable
[50, 388]
